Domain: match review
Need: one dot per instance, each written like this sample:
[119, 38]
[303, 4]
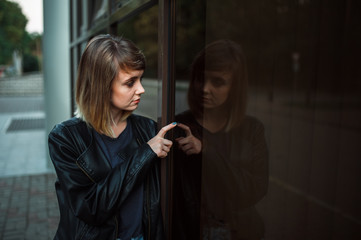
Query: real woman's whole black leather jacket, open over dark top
[90, 191]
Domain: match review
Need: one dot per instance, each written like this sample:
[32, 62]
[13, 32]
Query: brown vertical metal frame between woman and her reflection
[166, 44]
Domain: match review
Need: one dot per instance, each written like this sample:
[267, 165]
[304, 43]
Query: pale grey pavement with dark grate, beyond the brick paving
[22, 139]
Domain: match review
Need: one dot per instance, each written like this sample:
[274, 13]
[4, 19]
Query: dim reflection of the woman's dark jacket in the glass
[218, 189]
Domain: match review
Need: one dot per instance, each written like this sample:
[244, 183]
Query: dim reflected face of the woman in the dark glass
[216, 88]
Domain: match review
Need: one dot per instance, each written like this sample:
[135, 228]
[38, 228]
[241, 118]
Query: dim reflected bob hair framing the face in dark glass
[221, 56]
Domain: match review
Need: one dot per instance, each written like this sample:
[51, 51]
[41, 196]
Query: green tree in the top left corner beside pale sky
[12, 30]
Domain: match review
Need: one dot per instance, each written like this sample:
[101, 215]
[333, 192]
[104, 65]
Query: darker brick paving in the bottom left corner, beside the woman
[28, 207]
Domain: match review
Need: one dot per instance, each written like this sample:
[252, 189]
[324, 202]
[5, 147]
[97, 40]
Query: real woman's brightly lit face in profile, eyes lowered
[127, 90]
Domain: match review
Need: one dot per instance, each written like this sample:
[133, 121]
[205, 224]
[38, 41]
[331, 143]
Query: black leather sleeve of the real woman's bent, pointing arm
[94, 200]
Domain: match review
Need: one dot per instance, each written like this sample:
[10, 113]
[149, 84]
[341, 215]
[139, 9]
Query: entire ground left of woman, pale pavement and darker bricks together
[28, 204]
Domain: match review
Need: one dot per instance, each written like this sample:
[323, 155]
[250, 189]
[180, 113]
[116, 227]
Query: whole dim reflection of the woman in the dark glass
[221, 167]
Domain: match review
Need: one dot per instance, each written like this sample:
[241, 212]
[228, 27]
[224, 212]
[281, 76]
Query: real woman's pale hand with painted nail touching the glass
[159, 144]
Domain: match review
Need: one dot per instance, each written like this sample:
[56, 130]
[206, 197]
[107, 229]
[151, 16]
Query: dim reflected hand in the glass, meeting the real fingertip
[189, 144]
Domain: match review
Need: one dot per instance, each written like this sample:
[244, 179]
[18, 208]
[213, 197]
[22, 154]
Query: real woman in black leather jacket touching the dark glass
[106, 159]
